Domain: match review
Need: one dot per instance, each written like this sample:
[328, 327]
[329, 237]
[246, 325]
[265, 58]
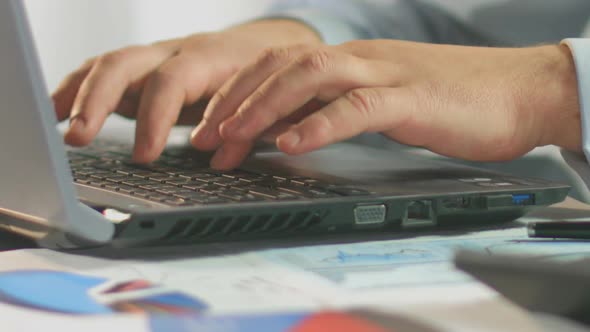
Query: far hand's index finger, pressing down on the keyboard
[179, 82]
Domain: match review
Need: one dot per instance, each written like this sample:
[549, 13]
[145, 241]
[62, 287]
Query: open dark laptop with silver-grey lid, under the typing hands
[70, 198]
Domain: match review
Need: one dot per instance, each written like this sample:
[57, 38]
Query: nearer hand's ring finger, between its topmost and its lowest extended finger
[324, 75]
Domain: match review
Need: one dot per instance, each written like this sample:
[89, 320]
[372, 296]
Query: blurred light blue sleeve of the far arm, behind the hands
[338, 21]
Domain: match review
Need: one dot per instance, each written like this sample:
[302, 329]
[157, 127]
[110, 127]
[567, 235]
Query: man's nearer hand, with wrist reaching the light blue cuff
[484, 104]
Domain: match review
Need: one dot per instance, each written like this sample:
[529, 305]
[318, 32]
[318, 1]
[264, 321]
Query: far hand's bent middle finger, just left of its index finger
[102, 90]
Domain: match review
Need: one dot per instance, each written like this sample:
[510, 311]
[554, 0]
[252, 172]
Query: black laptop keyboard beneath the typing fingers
[182, 177]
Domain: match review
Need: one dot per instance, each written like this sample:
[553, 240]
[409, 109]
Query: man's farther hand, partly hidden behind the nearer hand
[165, 83]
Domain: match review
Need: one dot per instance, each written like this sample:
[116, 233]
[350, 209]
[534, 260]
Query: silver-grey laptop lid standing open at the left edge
[37, 193]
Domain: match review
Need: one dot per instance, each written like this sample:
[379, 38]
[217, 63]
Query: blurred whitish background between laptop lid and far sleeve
[67, 32]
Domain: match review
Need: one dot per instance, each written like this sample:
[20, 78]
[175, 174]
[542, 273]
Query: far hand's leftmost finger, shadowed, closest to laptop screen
[65, 94]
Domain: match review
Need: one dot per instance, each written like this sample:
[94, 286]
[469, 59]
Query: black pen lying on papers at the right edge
[560, 229]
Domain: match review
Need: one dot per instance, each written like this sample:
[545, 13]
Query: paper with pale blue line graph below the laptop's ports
[427, 261]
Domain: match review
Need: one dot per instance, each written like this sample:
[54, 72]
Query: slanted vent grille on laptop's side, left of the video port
[208, 227]
